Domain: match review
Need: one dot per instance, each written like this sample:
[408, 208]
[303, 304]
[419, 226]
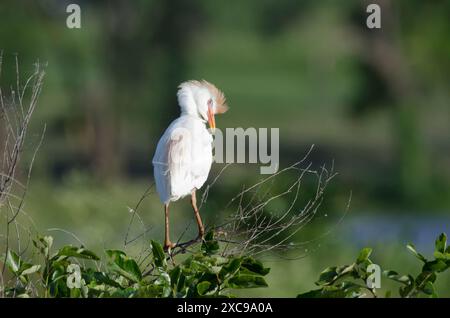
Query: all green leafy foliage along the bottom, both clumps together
[78, 272]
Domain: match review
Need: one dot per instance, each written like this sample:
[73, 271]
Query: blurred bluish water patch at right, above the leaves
[376, 228]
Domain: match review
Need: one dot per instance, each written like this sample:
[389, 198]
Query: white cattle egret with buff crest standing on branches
[183, 156]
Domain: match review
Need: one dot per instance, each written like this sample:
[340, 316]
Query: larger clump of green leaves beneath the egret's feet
[205, 273]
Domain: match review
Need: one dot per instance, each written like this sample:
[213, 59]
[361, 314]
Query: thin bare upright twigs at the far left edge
[15, 115]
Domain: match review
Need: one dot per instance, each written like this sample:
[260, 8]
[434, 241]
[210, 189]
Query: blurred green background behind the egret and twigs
[376, 103]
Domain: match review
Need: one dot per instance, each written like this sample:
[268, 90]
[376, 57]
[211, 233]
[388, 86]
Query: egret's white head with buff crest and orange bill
[202, 99]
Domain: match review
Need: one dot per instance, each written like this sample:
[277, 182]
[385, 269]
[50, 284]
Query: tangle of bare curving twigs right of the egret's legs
[253, 228]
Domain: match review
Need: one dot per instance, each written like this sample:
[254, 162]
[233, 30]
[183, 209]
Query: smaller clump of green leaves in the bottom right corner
[350, 280]
